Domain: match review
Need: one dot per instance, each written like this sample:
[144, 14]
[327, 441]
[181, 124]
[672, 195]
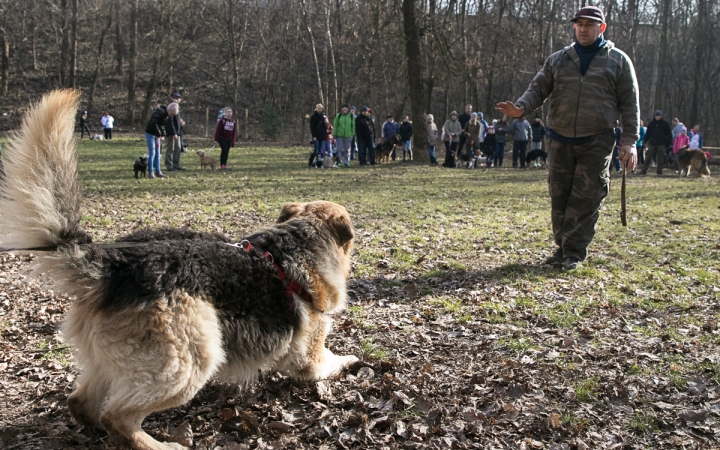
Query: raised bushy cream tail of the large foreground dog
[40, 191]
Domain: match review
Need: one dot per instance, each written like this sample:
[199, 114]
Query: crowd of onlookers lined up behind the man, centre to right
[351, 136]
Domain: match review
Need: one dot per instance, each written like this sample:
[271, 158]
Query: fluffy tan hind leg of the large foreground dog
[153, 358]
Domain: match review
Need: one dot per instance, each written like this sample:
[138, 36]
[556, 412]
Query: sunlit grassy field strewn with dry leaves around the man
[448, 272]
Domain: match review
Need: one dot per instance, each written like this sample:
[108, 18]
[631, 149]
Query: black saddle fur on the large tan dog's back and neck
[242, 286]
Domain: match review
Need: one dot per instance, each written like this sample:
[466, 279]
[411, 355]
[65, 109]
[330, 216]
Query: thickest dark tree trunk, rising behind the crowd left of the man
[415, 81]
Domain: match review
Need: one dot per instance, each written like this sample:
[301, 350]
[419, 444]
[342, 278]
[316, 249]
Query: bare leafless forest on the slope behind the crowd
[277, 59]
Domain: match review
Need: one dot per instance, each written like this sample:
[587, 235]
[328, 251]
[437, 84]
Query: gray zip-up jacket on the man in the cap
[582, 106]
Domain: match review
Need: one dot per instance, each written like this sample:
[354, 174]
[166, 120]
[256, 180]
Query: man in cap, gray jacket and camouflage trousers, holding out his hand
[593, 73]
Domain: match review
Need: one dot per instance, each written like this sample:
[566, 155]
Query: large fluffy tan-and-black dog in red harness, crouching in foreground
[159, 313]
